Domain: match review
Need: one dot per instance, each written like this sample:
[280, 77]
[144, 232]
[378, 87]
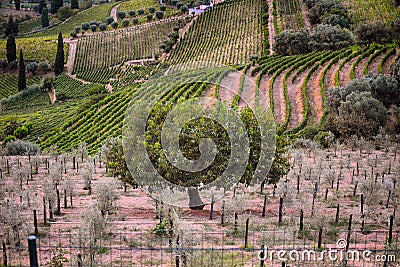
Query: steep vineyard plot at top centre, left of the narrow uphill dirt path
[230, 33]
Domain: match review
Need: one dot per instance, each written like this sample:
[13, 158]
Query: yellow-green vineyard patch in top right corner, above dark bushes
[369, 11]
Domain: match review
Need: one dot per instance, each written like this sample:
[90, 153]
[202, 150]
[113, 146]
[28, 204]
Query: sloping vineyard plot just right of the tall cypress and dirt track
[112, 48]
